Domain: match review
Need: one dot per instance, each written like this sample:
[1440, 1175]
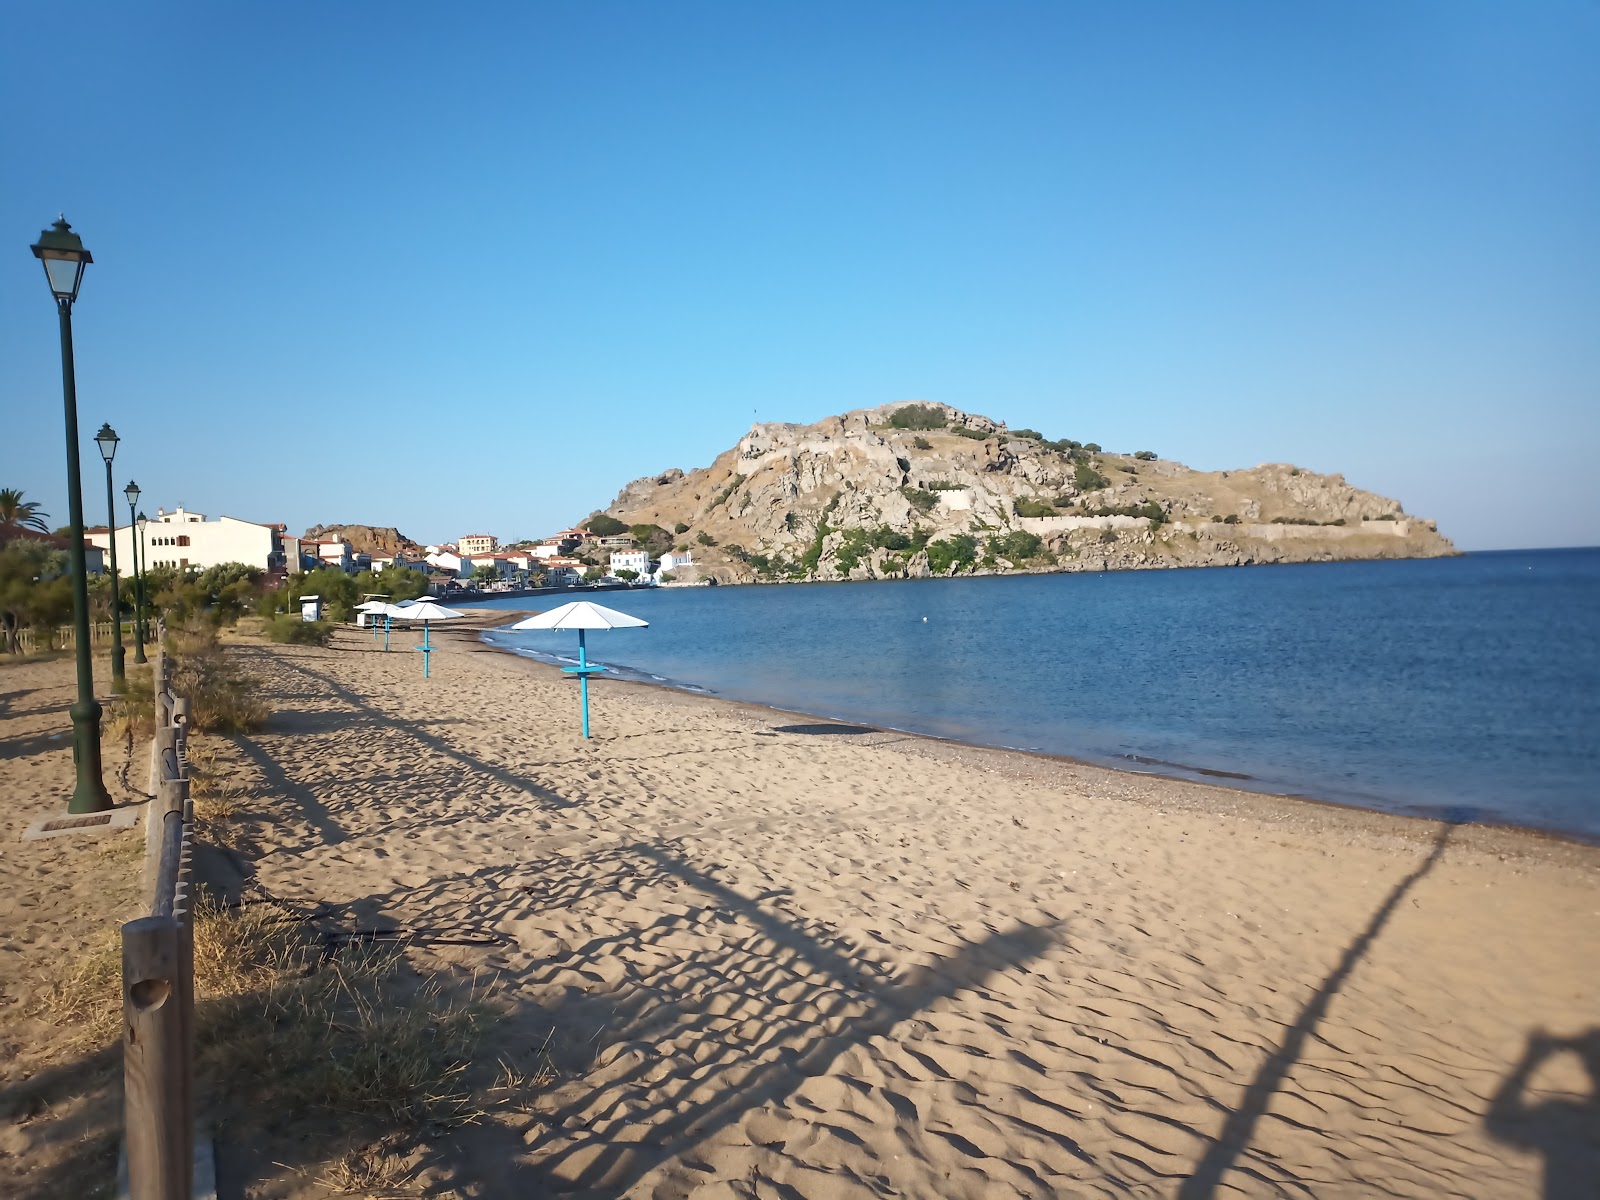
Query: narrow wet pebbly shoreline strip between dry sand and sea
[1180, 775]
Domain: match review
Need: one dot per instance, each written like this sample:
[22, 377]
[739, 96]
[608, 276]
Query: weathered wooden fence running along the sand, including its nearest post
[158, 972]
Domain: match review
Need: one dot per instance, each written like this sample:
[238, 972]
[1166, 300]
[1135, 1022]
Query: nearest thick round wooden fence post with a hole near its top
[161, 1158]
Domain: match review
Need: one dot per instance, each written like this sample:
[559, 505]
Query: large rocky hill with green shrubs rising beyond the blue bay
[914, 490]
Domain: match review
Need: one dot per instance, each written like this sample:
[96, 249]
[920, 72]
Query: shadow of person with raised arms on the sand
[1564, 1130]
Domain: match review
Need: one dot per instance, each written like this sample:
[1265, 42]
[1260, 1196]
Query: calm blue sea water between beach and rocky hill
[1454, 687]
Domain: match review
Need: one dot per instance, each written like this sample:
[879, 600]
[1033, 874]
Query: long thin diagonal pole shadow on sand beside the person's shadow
[1241, 1124]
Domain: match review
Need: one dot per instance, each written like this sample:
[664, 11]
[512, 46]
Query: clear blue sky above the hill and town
[474, 268]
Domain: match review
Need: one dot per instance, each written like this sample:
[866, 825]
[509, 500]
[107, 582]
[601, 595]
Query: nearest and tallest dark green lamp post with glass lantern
[65, 258]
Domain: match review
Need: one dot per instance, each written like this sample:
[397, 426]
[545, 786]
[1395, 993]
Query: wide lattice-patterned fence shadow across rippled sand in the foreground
[678, 1020]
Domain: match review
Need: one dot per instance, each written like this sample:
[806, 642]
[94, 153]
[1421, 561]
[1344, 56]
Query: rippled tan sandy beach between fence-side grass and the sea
[766, 956]
